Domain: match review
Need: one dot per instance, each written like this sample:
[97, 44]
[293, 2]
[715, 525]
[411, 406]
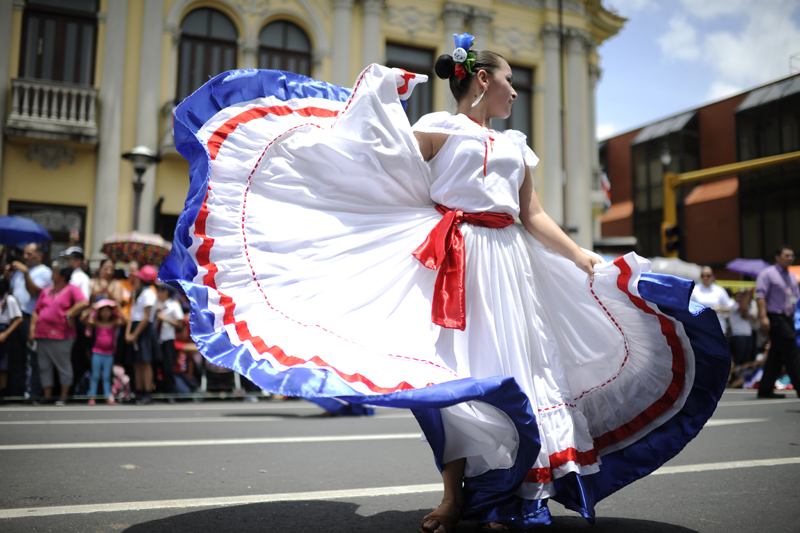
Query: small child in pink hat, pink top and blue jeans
[106, 320]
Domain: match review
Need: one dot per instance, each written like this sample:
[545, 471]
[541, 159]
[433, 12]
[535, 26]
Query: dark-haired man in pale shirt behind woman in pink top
[30, 276]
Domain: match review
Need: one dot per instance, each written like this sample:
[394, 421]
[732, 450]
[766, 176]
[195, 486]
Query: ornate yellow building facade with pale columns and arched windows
[86, 81]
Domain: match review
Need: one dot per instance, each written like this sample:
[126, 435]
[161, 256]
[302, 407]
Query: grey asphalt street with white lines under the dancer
[231, 466]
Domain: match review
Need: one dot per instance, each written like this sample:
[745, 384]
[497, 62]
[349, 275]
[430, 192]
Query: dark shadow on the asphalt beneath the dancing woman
[335, 517]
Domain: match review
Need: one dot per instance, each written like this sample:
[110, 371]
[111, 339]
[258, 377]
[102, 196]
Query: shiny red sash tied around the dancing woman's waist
[444, 249]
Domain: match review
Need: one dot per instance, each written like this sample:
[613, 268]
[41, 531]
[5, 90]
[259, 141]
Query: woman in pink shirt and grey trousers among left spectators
[53, 328]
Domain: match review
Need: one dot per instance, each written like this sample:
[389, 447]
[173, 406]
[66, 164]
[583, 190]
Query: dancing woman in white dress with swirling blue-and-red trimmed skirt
[330, 250]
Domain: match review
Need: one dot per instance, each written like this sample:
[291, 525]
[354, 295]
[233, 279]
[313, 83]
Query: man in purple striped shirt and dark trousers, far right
[777, 292]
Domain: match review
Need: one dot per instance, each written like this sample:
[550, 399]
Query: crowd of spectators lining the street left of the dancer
[67, 334]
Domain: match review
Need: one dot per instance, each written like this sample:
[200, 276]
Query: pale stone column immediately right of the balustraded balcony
[106, 198]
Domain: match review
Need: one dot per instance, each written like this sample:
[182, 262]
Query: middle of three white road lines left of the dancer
[204, 442]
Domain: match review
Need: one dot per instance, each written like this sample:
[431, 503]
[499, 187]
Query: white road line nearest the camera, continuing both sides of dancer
[324, 495]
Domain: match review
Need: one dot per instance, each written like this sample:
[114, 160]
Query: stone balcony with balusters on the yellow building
[44, 109]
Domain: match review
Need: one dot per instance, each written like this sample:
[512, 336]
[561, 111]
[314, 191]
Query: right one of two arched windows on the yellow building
[284, 46]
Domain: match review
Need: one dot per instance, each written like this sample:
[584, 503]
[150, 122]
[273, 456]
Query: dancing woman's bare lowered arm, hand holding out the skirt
[544, 228]
